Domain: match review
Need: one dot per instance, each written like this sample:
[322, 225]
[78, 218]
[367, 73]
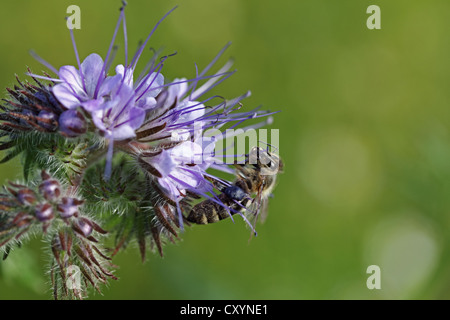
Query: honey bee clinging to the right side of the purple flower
[248, 195]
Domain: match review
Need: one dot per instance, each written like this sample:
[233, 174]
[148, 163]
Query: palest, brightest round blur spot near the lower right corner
[406, 248]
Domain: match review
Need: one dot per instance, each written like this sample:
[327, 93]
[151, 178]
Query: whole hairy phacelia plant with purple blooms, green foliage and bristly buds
[161, 140]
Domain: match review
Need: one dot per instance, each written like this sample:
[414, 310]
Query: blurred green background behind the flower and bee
[364, 133]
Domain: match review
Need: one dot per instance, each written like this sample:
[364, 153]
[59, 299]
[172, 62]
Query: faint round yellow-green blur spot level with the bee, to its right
[337, 167]
